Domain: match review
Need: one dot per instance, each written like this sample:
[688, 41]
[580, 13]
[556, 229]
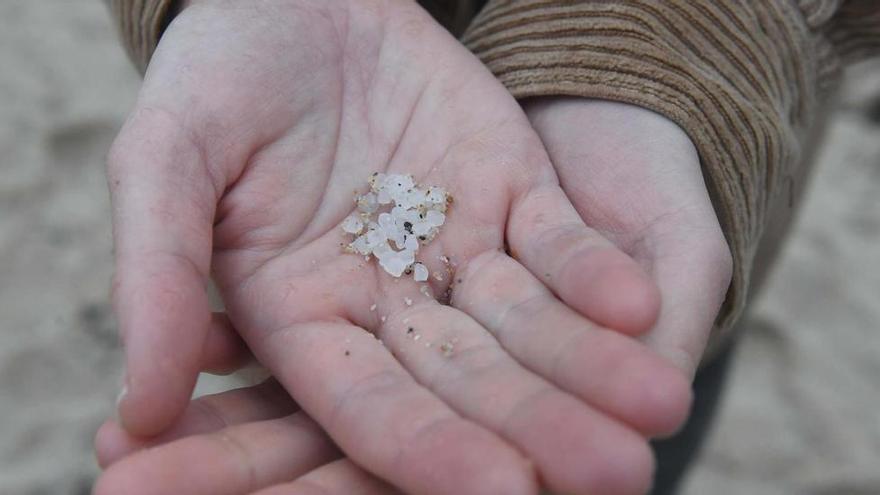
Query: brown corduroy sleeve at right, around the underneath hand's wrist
[743, 78]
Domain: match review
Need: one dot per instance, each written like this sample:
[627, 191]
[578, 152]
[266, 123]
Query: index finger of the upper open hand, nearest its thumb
[385, 421]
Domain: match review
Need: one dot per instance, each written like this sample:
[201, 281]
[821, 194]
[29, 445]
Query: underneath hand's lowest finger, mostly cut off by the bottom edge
[340, 477]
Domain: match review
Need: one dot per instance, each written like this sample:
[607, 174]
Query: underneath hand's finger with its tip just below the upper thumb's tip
[267, 400]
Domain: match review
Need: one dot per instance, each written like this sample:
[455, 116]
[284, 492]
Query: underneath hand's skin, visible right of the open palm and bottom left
[684, 217]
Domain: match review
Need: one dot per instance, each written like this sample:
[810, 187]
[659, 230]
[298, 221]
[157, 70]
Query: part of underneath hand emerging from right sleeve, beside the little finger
[635, 177]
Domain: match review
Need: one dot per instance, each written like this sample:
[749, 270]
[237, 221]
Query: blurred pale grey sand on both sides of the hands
[802, 415]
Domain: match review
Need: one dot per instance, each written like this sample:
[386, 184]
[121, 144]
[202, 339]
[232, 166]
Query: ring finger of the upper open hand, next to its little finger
[612, 372]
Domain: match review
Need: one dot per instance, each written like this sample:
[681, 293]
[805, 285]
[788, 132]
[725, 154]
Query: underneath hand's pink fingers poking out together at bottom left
[246, 440]
